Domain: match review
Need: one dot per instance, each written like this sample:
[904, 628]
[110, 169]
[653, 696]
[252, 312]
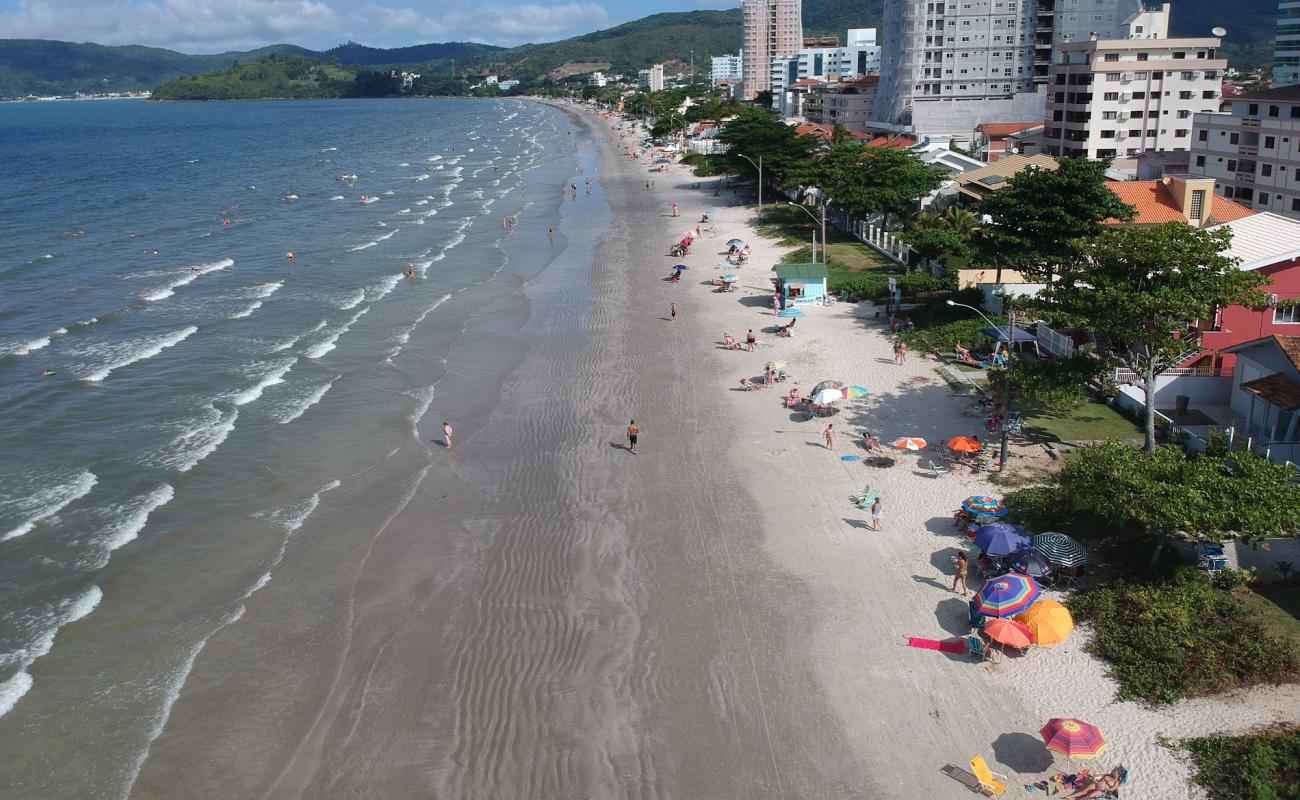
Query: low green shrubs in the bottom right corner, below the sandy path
[1262, 767]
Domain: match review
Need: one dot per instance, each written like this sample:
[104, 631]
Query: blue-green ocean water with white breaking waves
[177, 397]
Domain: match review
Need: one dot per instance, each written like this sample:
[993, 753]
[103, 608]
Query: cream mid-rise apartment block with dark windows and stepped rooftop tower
[1123, 97]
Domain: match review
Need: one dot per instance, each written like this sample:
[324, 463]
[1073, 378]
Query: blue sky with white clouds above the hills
[206, 27]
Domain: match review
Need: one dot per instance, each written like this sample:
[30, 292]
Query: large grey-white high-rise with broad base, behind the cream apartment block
[948, 66]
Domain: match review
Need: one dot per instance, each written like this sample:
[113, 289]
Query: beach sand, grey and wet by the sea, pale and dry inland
[556, 617]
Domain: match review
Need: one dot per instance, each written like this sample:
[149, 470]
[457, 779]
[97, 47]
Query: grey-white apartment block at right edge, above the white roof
[1254, 152]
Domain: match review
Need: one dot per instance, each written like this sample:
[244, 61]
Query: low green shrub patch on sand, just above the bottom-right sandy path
[1180, 639]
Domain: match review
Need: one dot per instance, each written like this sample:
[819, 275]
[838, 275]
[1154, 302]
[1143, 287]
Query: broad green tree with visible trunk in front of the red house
[1141, 288]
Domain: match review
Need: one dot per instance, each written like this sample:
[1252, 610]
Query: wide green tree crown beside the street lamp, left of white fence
[870, 180]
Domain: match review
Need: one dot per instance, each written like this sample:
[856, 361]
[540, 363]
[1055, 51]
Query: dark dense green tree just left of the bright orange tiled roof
[1041, 215]
